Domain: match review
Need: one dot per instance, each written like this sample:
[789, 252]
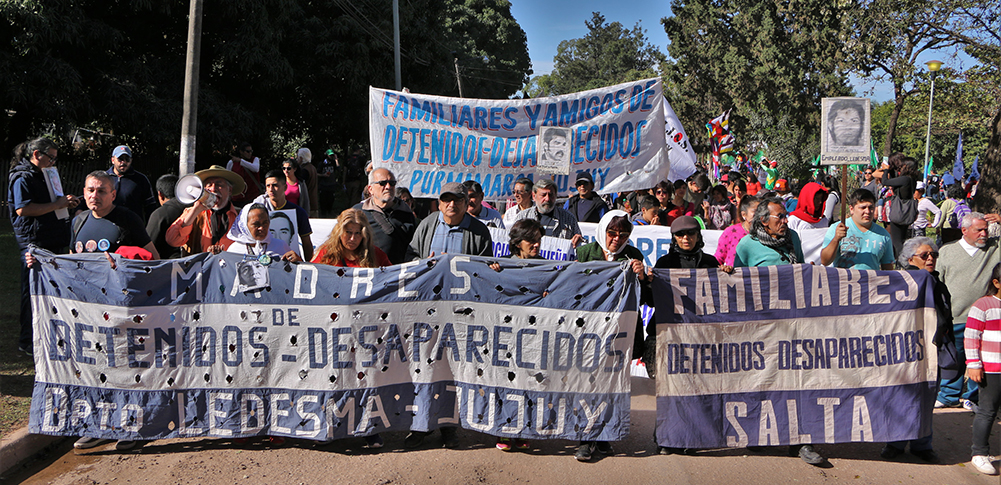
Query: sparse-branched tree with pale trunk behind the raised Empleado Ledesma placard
[889, 35]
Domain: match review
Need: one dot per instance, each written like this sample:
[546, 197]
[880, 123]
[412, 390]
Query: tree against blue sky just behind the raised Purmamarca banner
[607, 55]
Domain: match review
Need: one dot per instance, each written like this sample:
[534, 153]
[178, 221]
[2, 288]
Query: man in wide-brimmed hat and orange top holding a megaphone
[204, 226]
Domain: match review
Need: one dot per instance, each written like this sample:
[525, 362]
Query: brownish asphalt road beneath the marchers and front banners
[477, 461]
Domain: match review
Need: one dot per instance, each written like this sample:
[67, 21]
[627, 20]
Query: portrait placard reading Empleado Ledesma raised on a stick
[845, 127]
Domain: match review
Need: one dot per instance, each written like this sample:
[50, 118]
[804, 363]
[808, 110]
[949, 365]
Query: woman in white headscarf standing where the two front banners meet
[611, 244]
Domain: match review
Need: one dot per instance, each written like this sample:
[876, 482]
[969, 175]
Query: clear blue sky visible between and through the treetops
[548, 22]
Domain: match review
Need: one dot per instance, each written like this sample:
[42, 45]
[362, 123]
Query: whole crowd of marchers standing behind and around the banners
[759, 213]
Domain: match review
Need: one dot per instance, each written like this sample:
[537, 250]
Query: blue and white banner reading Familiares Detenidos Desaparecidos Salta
[793, 354]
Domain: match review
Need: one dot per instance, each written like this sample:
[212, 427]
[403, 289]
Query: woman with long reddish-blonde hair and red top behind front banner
[351, 244]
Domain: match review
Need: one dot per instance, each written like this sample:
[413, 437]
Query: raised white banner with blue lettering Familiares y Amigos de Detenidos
[616, 133]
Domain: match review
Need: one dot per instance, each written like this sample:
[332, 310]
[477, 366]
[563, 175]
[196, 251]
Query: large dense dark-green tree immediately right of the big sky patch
[772, 63]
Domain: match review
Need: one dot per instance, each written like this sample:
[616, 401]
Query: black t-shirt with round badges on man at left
[121, 227]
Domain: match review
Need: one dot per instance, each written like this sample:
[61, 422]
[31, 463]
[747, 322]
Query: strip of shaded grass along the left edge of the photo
[18, 370]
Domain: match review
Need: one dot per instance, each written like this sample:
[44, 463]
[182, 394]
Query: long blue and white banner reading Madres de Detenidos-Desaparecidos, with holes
[167, 349]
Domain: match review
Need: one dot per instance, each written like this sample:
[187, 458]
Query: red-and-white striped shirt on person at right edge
[982, 338]
